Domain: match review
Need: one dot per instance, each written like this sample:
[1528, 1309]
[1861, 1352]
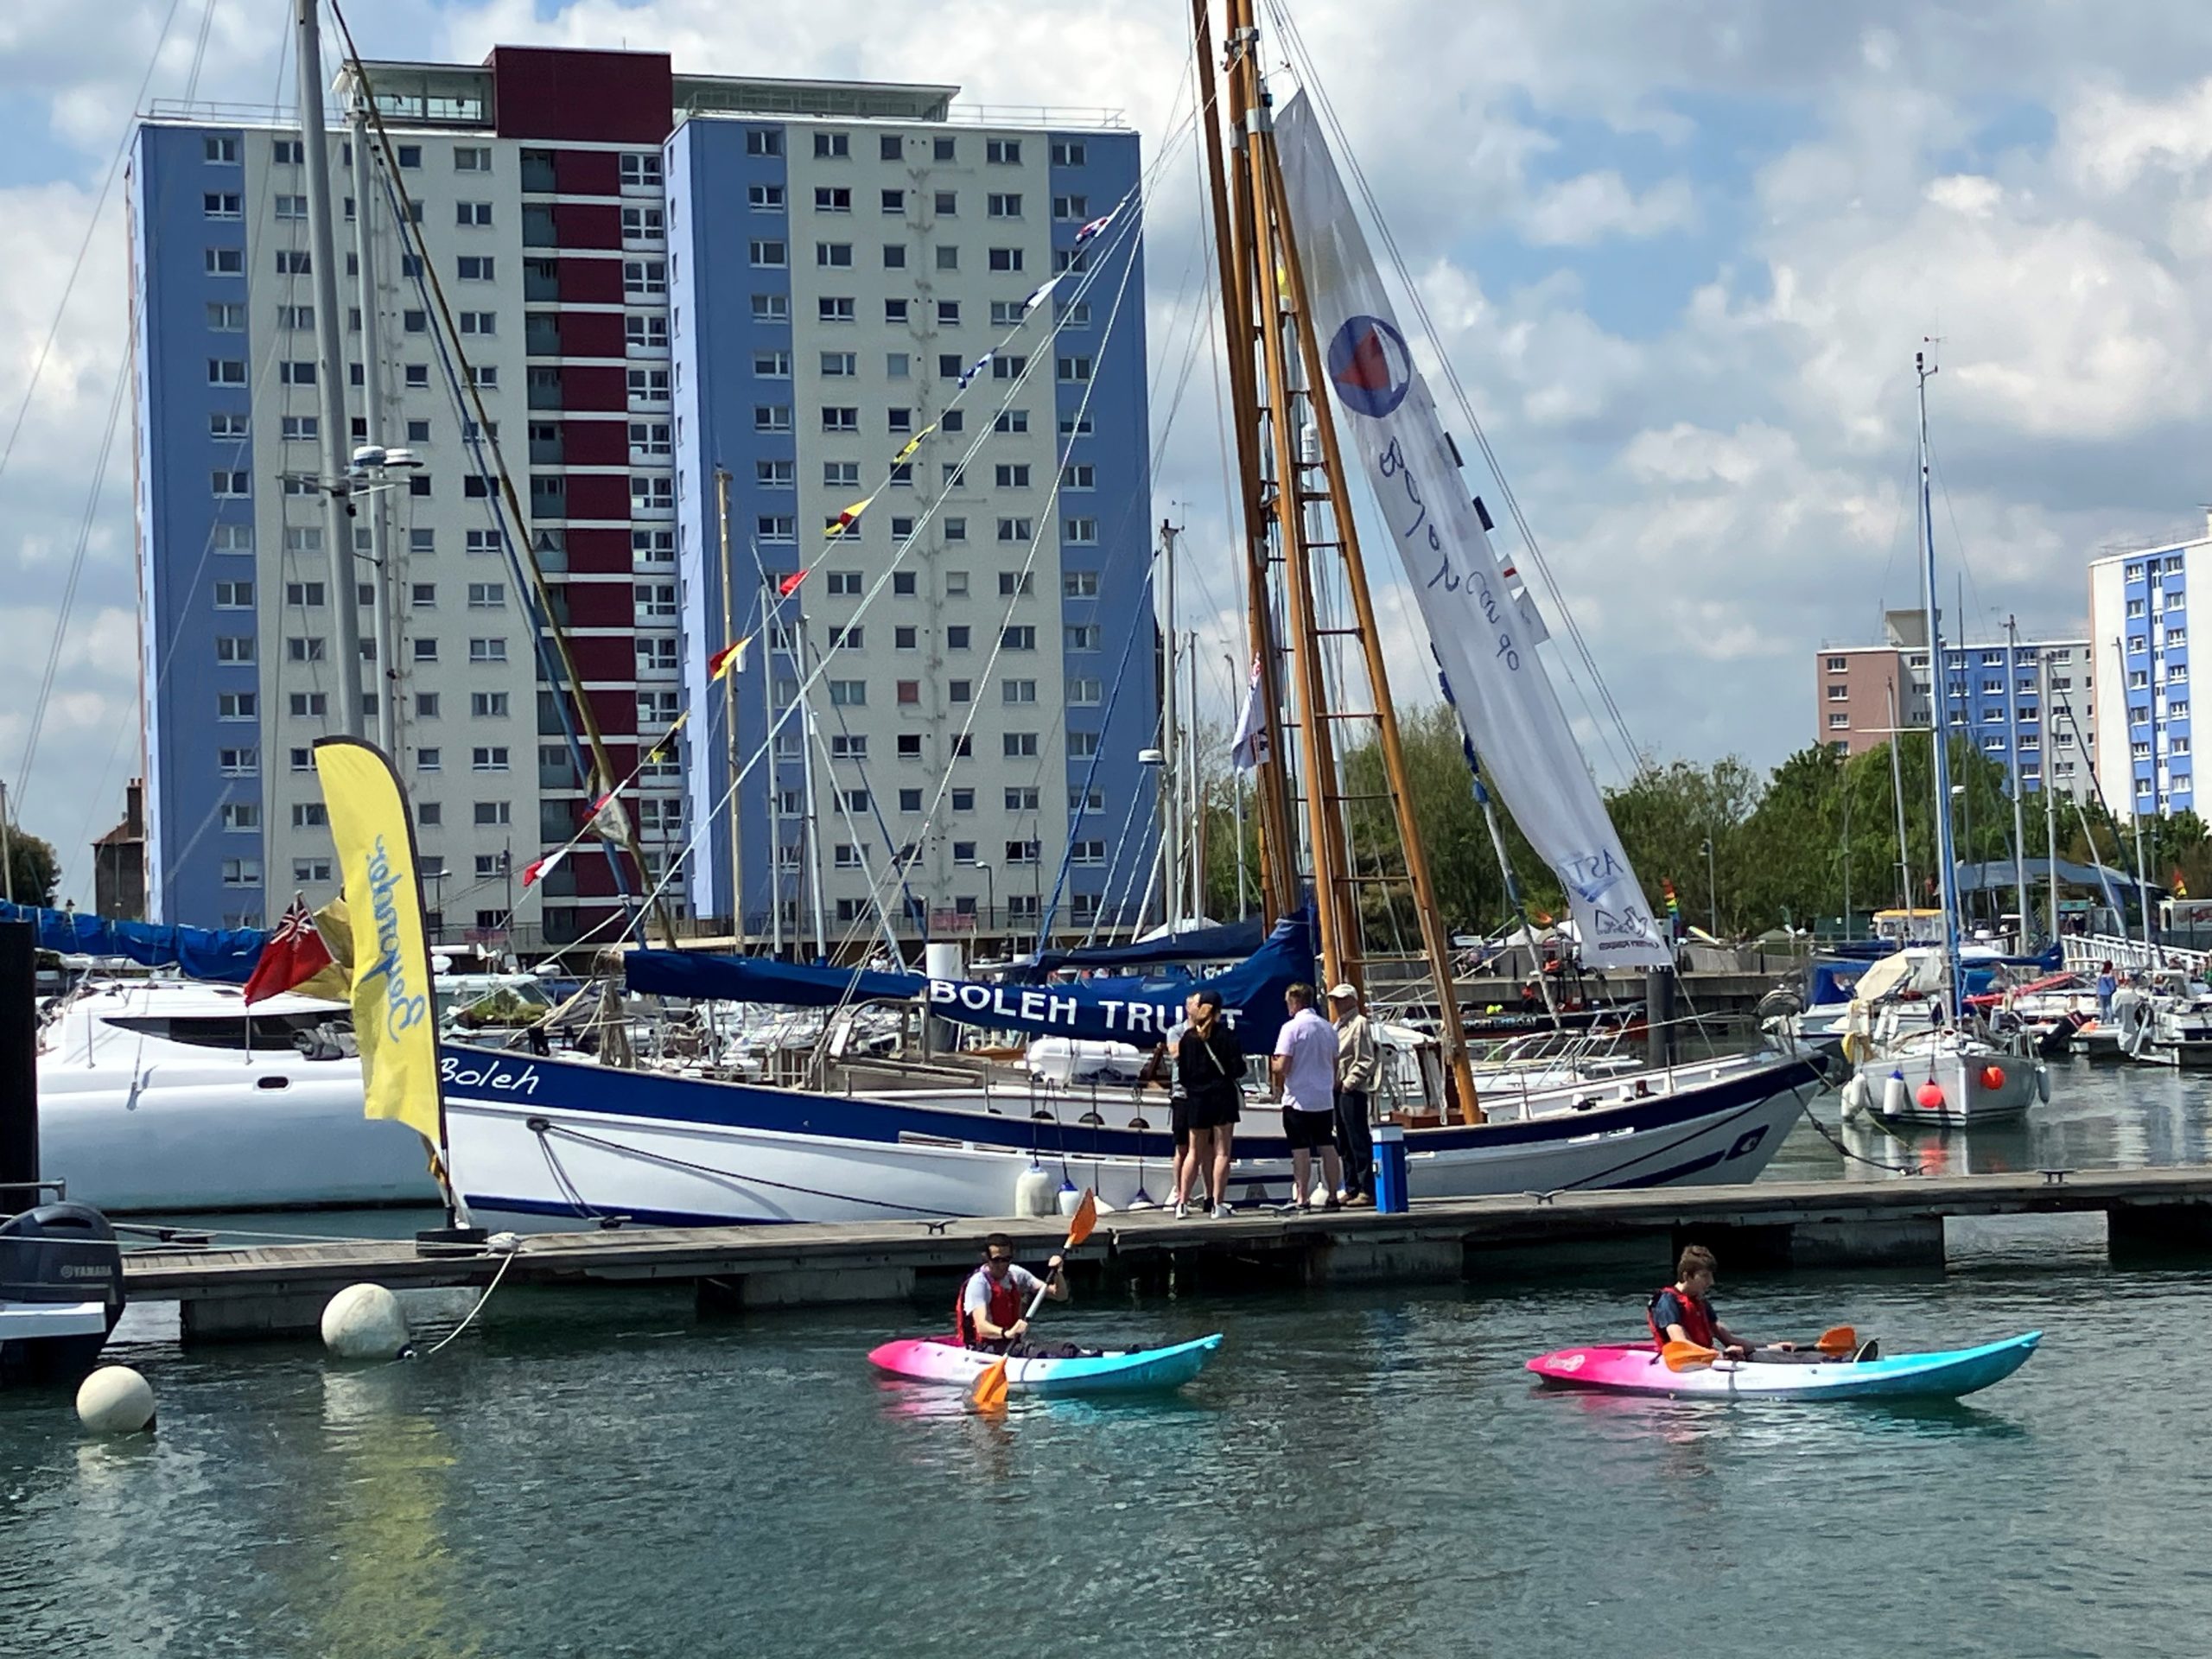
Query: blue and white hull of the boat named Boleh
[556, 1142]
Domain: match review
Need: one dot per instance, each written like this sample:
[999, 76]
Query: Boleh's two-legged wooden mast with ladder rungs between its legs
[1286, 309]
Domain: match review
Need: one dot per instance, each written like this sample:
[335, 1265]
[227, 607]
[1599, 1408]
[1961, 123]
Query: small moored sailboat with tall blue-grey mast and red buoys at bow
[1945, 1067]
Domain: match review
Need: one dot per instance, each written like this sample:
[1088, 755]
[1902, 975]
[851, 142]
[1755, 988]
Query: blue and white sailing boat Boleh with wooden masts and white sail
[567, 1142]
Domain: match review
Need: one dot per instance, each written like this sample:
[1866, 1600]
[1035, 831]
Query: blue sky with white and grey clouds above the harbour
[1680, 269]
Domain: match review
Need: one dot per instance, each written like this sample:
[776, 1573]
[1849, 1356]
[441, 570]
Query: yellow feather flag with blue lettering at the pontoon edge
[395, 1019]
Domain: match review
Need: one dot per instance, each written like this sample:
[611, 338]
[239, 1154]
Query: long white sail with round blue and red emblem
[1481, 634]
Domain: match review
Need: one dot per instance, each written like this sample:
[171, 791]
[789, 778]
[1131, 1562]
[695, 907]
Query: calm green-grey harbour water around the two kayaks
[607, 1474]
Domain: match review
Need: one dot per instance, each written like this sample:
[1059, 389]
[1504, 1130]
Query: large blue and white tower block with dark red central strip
[669, 293]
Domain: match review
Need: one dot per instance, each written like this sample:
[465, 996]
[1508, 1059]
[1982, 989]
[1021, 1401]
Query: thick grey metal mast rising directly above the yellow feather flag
[328, 371]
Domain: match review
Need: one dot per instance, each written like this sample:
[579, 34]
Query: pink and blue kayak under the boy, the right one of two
[1636, 1368]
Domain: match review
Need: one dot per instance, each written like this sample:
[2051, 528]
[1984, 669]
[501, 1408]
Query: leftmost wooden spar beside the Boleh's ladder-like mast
[1233, 264]
